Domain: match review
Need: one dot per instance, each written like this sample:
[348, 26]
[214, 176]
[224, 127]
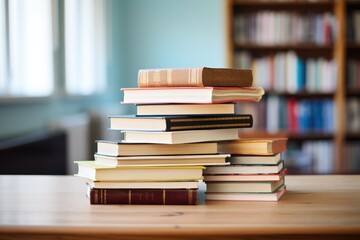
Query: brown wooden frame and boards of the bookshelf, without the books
[338, 51]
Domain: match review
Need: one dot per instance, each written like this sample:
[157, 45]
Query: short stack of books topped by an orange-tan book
[256, 171]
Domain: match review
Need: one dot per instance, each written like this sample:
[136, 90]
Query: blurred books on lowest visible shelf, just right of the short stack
[310, 157]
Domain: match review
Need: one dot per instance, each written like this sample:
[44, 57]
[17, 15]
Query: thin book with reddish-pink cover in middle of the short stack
[265, 177]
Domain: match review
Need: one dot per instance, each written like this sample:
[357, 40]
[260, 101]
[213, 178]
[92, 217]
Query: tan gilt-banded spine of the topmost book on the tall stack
[185, 77]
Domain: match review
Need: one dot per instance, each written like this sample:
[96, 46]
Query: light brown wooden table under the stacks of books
[49, 207]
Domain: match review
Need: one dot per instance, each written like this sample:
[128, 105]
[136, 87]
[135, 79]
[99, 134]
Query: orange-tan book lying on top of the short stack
[254, 146]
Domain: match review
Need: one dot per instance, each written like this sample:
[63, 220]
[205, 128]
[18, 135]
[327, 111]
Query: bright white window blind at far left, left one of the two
[27, 67]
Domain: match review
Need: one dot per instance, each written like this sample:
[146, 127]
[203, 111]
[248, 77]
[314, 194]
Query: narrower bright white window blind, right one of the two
[85, 46]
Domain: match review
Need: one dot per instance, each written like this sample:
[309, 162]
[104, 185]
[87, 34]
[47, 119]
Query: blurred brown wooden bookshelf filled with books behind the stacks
[321, 41]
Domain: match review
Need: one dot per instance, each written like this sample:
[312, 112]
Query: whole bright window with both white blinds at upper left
[29, 45]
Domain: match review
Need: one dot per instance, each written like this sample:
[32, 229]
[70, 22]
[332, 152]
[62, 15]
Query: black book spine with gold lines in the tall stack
[219, 122]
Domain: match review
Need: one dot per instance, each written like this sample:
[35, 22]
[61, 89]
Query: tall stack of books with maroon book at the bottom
[182, 115]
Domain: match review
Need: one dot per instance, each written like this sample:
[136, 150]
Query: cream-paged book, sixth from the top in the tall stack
[118, 148]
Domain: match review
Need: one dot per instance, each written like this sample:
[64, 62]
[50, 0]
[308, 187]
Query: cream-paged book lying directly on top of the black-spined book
[184, 109]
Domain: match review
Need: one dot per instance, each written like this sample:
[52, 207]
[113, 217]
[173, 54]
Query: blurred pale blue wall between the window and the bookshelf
[145, 34]
